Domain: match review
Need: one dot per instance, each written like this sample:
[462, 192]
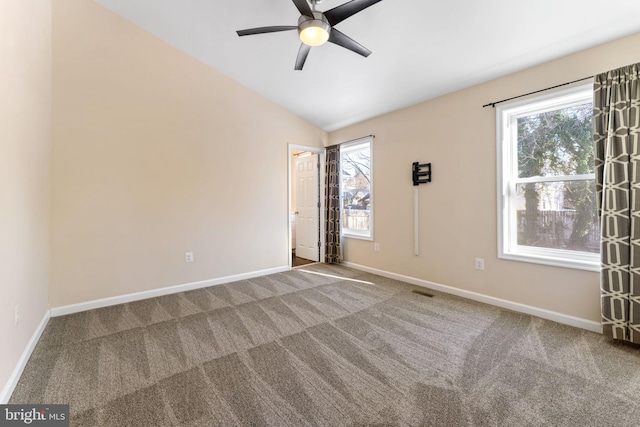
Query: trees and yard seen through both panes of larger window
[557, 214]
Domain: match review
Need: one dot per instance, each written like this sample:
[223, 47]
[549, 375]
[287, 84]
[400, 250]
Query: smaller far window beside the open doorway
[356, 160]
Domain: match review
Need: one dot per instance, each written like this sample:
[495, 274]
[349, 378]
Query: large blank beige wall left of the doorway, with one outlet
[155, 154]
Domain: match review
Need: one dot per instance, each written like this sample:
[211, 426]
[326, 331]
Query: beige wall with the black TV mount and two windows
[458, 209]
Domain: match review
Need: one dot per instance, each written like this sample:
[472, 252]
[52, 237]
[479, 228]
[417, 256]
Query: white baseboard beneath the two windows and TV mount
[565, 319]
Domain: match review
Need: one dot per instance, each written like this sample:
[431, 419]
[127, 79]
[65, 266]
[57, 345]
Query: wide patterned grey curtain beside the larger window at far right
[616, 118]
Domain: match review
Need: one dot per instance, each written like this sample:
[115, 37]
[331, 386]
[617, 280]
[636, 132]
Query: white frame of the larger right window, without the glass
[507, 179]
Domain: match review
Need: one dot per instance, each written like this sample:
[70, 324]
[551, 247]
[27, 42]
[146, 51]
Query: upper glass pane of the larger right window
[557, 142]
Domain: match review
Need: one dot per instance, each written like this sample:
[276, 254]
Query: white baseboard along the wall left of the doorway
[121, 299]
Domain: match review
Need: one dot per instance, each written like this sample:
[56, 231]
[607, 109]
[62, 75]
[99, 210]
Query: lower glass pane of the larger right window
[558, 215]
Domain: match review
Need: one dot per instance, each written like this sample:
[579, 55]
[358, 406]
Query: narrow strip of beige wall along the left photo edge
[25, 155]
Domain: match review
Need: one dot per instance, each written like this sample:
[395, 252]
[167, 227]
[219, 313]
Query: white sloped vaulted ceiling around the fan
[421, 48]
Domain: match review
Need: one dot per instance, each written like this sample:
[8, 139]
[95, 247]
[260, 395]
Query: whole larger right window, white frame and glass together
[546, 181]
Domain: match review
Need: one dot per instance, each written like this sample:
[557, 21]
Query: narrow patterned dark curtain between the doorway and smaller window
[332, 201]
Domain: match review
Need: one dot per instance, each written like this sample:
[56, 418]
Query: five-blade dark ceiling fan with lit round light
[316, 28]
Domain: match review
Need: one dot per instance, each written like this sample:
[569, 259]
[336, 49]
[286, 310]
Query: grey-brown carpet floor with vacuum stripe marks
[341, 348]
